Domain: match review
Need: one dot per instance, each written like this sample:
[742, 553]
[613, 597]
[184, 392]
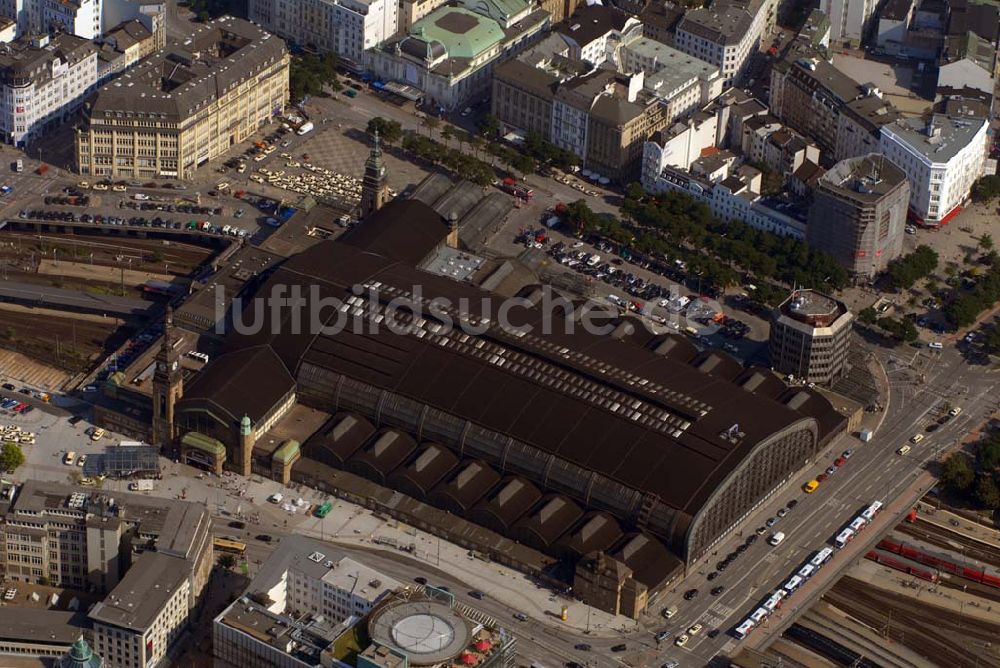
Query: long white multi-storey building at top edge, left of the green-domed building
[345, 27]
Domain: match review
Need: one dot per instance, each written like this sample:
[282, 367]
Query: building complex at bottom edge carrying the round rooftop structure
[305, 602]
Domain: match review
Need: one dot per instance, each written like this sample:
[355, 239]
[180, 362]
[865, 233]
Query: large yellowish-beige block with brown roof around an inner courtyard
[185, 106]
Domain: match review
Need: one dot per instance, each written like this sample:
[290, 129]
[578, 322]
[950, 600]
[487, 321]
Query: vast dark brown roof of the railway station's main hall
[683, 468]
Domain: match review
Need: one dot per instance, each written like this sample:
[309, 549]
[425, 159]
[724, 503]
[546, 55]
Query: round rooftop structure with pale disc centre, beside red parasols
[426, 631]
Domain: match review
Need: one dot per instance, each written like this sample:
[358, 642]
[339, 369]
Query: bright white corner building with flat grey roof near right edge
[941, 157]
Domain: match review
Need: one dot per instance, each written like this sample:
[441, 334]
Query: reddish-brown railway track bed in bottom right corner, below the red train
[936, 634]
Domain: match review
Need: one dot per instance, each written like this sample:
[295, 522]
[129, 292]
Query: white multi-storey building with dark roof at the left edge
[43, 80]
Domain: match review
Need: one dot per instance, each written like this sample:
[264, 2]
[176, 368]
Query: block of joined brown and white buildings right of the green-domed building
[605, 115]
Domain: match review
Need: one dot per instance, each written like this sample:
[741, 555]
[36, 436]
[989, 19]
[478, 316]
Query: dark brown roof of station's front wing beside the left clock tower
[249, 382]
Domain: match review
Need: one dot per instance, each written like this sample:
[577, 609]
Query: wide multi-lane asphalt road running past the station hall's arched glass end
[874, 472]
